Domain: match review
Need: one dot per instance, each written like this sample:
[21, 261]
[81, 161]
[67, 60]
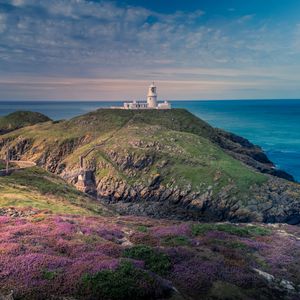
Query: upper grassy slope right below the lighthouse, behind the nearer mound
[104, 121]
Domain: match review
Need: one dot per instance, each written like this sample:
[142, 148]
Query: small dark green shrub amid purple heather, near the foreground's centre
[155, 261]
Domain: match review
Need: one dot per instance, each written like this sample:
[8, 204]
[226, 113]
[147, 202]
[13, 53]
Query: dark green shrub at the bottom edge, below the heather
[126, 282]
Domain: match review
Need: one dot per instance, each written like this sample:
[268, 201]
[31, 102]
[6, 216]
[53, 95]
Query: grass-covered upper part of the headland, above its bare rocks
[186, 143]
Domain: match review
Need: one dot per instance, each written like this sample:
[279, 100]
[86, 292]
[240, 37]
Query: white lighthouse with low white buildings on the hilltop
[151, 101]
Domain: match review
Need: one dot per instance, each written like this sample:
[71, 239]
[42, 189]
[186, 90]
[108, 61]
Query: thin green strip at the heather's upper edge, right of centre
[202, 229]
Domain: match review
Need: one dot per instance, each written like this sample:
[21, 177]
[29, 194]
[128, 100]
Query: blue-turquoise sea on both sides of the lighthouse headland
[272, 124]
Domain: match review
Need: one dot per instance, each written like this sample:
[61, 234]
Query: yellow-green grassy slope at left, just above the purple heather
[42, 190]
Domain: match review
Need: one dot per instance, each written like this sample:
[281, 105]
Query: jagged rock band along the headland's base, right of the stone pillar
[270, 203]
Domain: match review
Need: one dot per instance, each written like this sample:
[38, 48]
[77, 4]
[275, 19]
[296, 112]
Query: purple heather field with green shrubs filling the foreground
[84, 257]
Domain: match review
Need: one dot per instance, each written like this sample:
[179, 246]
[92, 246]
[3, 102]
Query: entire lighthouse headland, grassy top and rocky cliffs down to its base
[162, 164]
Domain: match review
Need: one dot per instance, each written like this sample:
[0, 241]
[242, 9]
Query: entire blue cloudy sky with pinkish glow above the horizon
[112, 50]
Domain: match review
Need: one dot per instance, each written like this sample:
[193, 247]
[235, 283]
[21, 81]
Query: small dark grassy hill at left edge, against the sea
[20, 119]
